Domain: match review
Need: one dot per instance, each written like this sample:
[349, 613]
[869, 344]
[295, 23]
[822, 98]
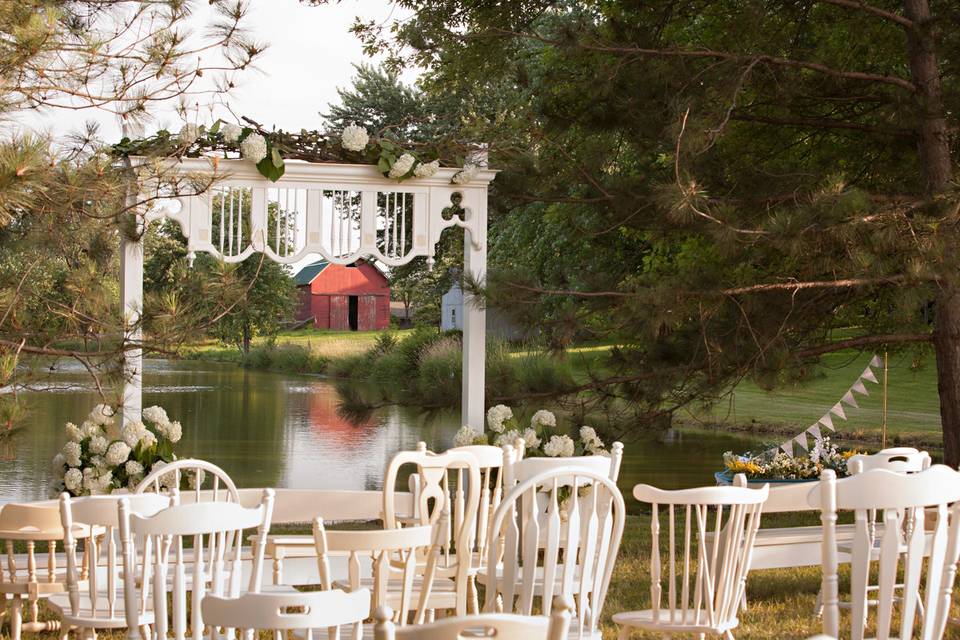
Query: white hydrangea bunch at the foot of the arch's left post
[99, 457]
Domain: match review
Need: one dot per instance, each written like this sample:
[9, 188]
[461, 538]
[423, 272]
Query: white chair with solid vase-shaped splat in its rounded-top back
[452, 507]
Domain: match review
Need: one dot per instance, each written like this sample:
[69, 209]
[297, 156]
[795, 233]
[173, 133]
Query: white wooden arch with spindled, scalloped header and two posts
[341, 212]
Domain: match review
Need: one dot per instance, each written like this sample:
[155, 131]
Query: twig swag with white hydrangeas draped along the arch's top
[268, 149]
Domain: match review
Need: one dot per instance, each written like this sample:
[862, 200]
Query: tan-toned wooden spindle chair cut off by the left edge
[31, 525]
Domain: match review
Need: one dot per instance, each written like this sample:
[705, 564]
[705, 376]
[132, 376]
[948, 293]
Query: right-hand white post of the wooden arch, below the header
[474, 313]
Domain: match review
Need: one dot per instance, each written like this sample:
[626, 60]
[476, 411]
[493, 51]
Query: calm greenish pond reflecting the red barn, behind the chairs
[271, 429]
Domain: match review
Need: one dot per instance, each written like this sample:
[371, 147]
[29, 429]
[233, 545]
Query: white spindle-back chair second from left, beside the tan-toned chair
[94, 596]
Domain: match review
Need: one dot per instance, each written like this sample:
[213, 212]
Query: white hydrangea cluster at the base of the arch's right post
[543, 438]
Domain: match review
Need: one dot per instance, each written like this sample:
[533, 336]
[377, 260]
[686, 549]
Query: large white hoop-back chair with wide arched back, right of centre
[553, 555]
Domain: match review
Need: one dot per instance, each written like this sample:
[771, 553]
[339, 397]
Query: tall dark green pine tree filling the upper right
[728, 188]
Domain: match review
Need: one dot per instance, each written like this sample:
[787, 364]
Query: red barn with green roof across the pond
[354, 297]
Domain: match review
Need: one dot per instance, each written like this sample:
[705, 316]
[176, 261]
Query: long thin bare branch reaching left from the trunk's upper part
[861, 76]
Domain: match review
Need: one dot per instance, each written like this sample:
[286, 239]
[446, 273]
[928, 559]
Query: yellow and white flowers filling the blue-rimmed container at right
[778, 465]
